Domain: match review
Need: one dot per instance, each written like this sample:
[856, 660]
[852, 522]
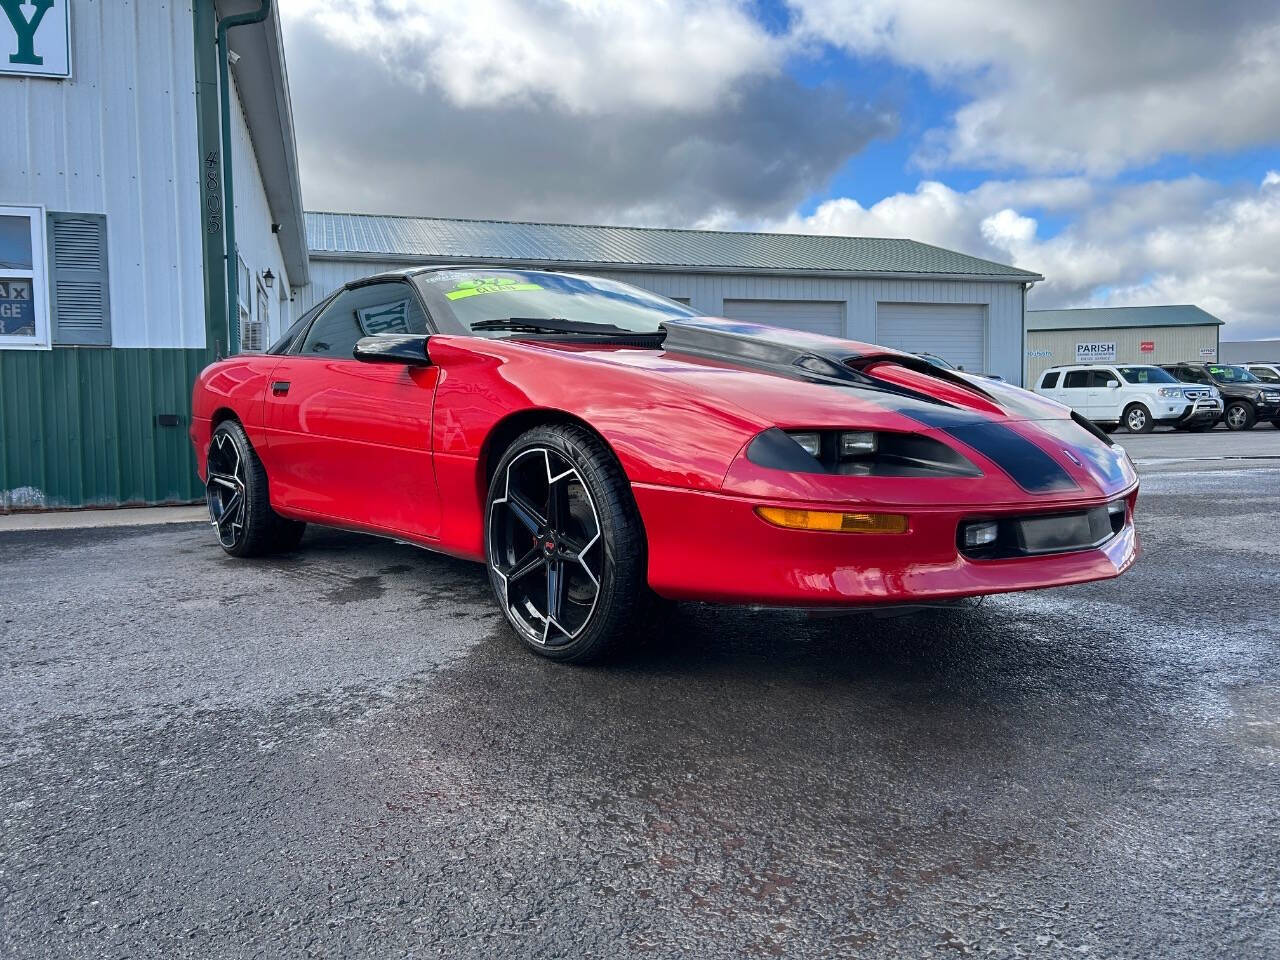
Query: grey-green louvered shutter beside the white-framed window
[79, 286]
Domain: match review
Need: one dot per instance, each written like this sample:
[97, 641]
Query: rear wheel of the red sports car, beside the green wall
[237, 496]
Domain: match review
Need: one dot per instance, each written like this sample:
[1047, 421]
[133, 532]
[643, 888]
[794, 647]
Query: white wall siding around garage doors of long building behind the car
[861, 299]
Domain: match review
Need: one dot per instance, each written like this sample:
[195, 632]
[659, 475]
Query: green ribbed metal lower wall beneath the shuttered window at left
[79, 427]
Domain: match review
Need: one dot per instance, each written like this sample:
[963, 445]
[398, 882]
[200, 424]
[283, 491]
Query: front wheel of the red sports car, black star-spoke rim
[561, 520]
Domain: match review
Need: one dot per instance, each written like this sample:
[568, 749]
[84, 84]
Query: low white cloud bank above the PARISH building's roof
[1164, 243]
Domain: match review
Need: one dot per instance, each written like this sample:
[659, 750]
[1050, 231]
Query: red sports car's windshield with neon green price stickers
[497, 303]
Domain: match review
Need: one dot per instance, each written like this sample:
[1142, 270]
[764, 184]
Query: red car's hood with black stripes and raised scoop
[794, 381]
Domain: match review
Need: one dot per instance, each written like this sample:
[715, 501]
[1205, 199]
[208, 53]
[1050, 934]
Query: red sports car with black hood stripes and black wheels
[595, 445]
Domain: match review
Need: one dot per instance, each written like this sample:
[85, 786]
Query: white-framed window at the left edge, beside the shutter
[24, 303]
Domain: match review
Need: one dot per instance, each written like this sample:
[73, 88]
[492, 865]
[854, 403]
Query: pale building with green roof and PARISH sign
[1158, 335]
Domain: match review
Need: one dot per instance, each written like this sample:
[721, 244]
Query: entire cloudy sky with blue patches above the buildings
[1130, 150]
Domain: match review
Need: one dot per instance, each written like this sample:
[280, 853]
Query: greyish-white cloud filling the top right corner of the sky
[1095, 86]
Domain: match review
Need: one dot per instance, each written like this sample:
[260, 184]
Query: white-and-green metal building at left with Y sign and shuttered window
[115, 228]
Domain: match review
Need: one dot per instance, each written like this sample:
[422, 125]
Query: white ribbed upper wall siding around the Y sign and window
[120, 139]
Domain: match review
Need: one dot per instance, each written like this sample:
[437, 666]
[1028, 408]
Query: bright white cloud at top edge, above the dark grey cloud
[586, 57]
